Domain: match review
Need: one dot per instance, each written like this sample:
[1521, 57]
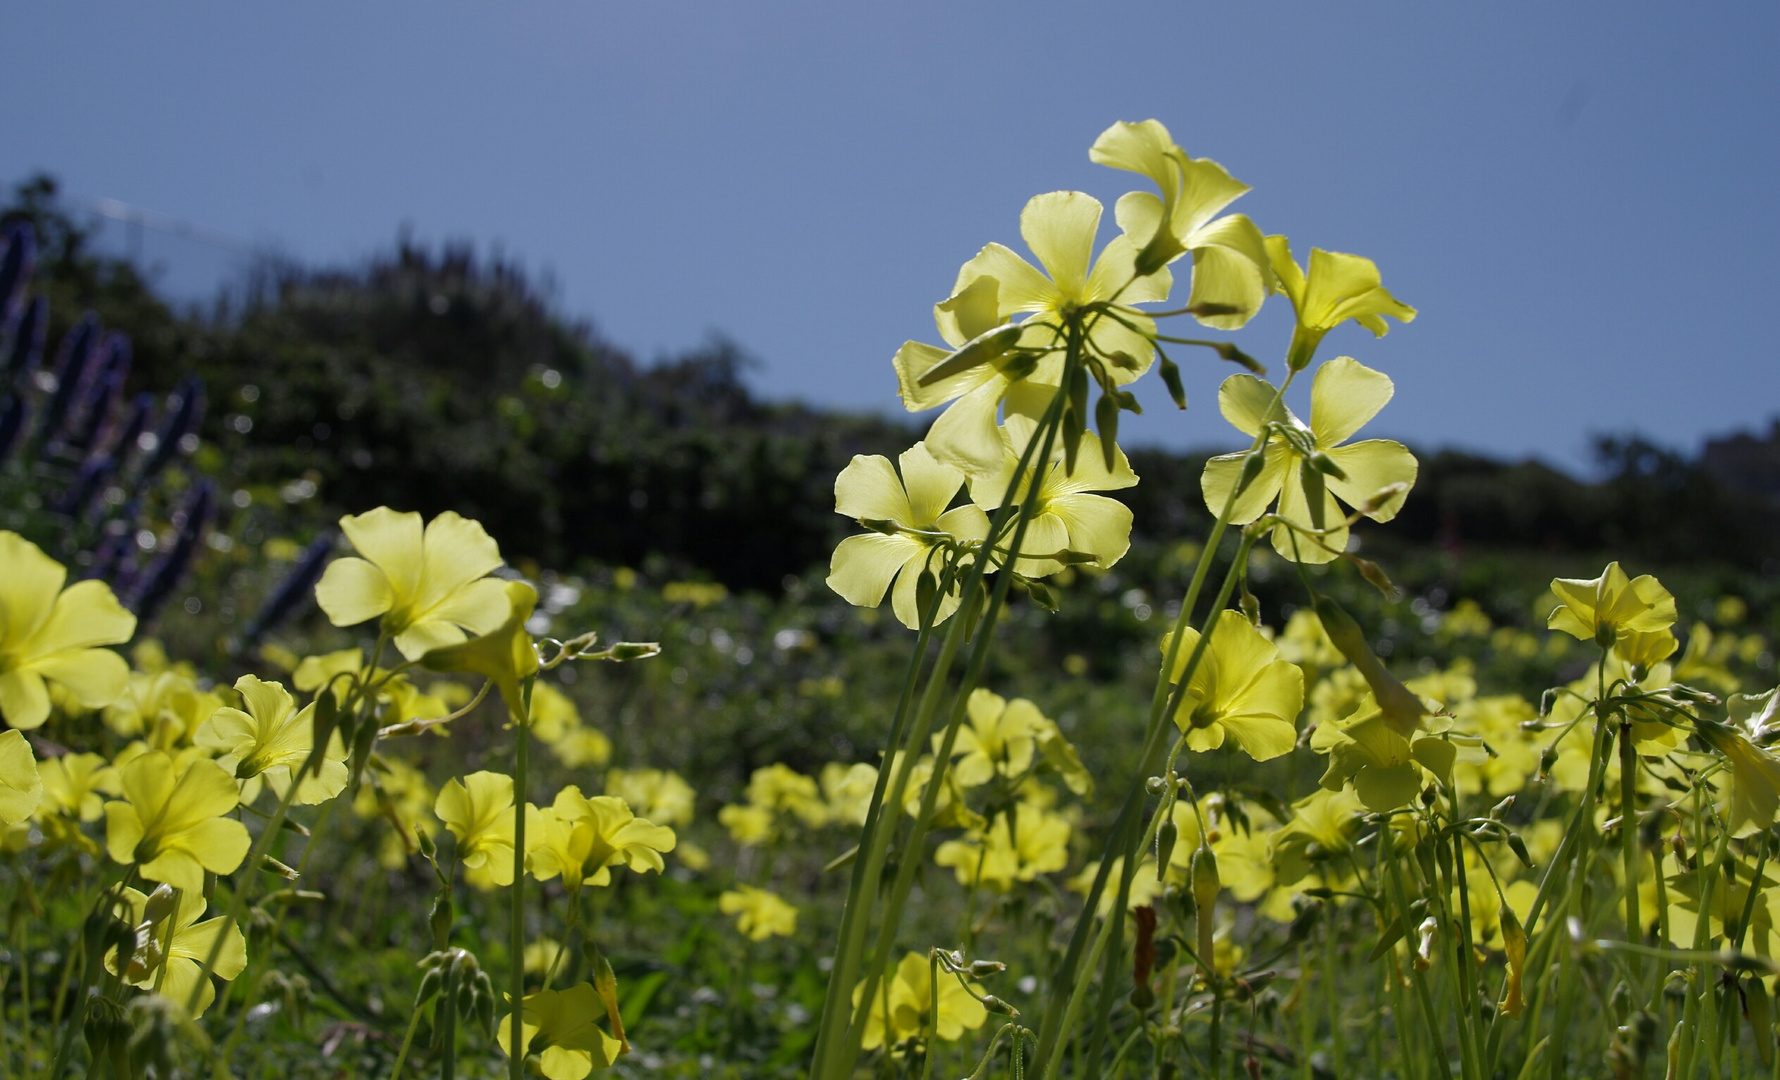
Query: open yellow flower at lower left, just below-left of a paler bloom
[172, 821]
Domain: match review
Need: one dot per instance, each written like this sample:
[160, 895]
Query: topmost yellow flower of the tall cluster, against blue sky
[1231, 268]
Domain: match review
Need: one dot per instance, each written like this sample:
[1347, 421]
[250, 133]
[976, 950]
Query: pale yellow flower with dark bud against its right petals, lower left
[275, 739]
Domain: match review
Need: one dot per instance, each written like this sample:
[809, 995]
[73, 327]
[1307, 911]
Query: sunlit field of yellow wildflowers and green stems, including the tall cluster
[478, 821]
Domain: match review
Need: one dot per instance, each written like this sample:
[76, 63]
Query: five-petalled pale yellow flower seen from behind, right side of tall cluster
[1375, 476]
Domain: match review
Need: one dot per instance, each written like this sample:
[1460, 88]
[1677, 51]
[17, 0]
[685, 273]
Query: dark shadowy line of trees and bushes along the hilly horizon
[442, 380]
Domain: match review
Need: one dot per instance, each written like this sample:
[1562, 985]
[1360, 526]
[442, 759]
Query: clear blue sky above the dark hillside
[1582, 198]
